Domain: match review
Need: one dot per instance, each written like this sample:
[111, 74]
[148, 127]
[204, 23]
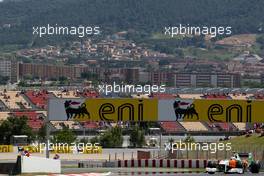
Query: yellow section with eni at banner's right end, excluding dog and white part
[228, 110]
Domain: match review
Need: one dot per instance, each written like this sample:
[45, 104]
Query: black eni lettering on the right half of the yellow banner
[217, 109]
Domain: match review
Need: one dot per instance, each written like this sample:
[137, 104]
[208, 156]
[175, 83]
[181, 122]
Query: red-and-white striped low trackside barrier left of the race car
[166, 163]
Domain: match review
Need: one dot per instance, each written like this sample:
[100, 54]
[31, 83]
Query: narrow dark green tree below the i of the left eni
[137, 137]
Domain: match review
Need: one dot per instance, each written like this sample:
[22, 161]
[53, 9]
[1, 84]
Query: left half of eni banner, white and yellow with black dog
[103, 109]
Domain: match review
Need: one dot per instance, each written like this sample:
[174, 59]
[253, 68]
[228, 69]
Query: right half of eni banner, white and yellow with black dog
[212, 110]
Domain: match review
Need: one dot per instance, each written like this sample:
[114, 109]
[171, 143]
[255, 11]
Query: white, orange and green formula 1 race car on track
[234, 165]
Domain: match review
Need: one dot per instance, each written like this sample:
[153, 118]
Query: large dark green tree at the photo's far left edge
[15, 126]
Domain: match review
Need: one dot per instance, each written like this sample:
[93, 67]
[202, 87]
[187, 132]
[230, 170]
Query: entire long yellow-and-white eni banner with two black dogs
[128, 109]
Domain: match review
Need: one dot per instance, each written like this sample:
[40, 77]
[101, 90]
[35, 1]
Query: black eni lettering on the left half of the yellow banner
[108, 108]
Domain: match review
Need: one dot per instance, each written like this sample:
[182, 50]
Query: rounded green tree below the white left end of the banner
[64, 136]
